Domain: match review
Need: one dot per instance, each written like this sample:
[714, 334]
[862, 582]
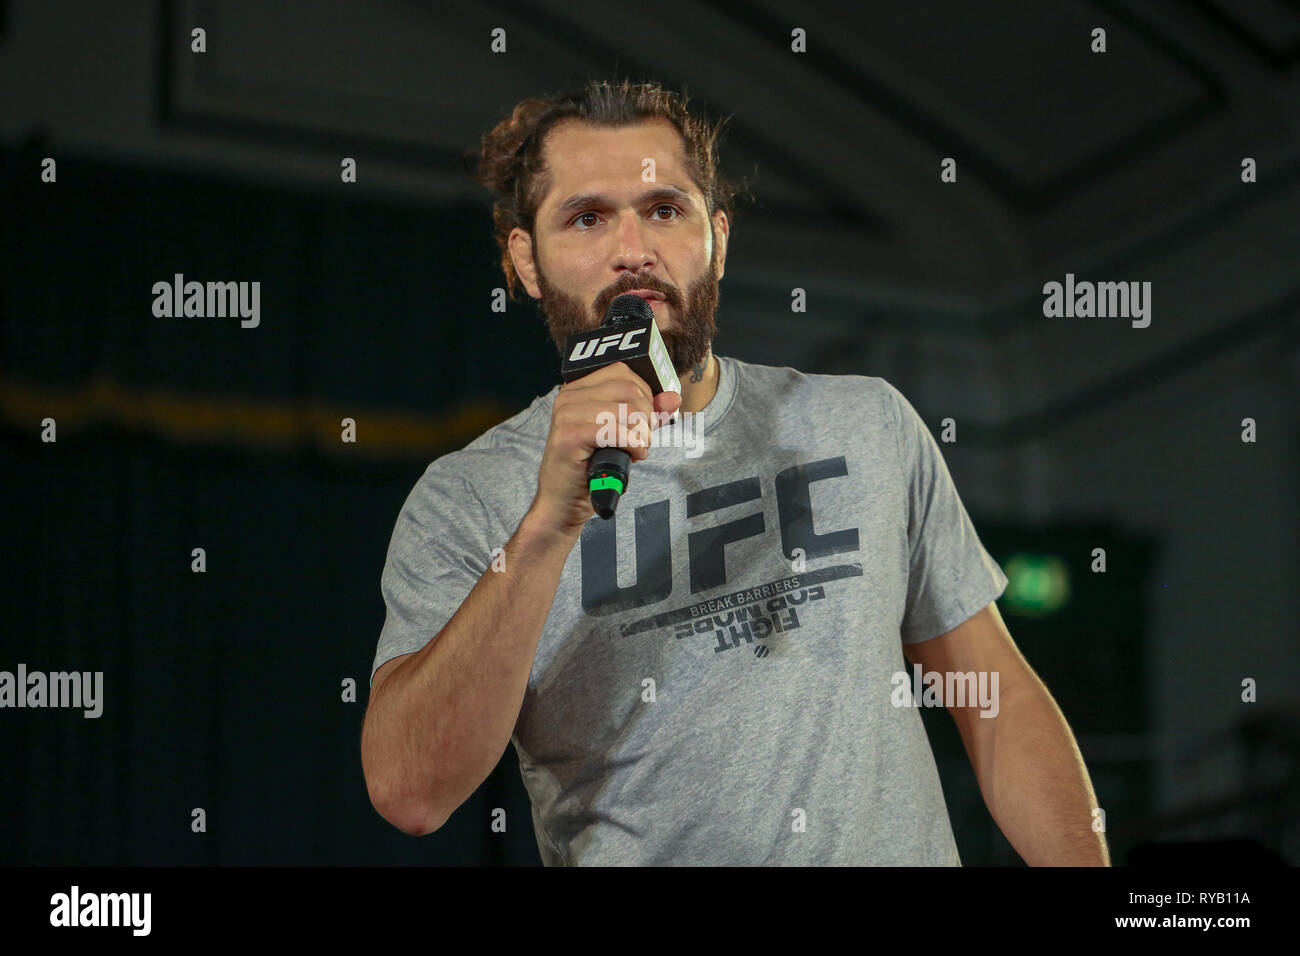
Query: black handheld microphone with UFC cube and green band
[627, 335]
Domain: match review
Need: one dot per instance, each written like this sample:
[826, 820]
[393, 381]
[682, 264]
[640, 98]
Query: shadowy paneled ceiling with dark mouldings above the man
[1117, 166]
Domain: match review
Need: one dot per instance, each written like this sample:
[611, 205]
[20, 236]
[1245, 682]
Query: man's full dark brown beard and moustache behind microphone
[691, 330]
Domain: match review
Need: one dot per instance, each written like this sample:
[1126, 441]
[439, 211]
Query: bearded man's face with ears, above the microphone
[626, 235]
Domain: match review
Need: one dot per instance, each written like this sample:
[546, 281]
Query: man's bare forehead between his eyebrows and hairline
[588, 158]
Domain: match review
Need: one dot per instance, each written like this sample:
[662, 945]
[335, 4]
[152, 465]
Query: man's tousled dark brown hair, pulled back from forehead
[509, 159]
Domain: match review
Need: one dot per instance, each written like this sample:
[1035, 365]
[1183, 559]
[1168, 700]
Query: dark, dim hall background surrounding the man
[223, 690]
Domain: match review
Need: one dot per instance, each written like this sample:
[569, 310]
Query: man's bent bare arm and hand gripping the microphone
[440, 719]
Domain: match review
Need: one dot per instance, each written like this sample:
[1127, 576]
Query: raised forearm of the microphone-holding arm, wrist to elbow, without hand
[439, 725]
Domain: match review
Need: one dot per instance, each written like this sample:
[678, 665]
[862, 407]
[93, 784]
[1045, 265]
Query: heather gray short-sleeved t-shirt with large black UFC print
[713, 682]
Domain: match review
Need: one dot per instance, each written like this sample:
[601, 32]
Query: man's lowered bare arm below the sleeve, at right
[1029, 767]
